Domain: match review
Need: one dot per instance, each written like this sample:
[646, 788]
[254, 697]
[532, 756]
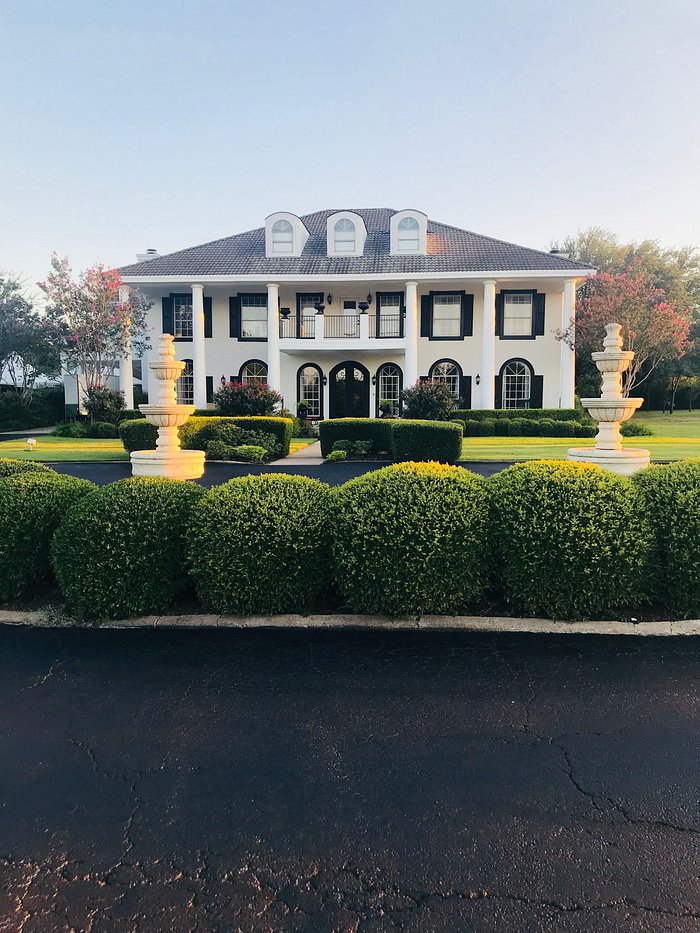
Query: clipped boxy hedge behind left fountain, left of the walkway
[198, 432]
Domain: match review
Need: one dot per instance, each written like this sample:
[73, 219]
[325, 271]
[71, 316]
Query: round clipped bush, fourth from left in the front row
[410, 538]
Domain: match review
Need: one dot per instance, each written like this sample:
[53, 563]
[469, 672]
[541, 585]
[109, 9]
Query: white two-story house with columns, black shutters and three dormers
[342, 309]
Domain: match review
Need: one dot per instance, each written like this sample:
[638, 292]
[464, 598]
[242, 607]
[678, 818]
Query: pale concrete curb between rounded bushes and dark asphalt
[377, 623]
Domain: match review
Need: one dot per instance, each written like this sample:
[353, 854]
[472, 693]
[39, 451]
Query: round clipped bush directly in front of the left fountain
[120, 551]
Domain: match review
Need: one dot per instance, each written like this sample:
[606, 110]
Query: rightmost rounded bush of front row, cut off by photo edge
[671, 497]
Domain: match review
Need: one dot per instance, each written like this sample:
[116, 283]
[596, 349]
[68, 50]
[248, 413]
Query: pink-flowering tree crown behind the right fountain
[653, 326]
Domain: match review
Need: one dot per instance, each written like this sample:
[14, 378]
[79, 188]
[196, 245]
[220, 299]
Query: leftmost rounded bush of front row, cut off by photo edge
[31, 506]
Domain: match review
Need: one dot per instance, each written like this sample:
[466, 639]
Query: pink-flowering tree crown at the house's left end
[94, 326]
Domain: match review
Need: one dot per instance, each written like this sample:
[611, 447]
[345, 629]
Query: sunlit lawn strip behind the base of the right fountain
[556, 448]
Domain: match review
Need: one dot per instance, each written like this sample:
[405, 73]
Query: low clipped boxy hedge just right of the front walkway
[402, 439]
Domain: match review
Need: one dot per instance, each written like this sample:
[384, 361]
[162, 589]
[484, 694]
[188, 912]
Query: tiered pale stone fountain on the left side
[167, 459]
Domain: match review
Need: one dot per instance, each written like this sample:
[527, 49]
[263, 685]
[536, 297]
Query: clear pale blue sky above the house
[164, 124]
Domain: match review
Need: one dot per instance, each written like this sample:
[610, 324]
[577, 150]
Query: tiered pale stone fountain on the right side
[610, 410]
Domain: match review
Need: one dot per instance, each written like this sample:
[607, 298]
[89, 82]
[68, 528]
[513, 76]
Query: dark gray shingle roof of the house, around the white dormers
[449, 249]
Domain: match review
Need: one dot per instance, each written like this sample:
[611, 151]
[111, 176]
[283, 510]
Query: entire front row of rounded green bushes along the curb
[558, 539]
